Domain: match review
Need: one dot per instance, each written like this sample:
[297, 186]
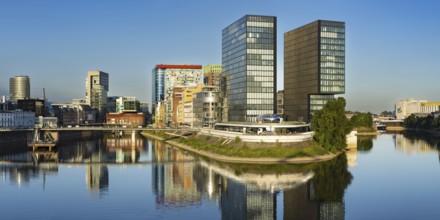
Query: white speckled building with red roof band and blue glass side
[166, 76]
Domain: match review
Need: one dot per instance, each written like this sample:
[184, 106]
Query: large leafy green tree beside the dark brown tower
[331, 126]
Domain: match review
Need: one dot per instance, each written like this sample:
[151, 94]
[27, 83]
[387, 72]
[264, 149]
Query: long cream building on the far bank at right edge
[406, 107]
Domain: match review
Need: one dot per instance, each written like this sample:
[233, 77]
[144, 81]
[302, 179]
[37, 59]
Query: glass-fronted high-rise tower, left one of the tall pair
[249, 61]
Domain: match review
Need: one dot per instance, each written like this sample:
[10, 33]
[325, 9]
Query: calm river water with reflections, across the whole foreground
[391, 176]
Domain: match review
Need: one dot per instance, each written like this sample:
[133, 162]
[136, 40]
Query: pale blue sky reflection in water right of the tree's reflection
[388, 184]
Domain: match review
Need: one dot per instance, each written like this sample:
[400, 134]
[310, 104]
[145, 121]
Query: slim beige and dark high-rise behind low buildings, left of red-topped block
[97, 85]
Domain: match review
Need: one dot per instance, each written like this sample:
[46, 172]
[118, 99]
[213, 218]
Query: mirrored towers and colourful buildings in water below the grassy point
[179, 182]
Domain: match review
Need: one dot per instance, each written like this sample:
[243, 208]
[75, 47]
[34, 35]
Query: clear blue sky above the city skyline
[392, 46]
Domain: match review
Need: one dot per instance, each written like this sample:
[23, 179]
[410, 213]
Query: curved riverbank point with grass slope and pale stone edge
[245, 153]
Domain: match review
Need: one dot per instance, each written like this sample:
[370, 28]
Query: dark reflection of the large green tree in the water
[330, 180]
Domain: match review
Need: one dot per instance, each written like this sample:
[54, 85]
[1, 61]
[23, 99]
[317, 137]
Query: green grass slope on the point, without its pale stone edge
[237, 148]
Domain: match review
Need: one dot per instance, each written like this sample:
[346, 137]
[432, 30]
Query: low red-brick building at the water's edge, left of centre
[127, 119]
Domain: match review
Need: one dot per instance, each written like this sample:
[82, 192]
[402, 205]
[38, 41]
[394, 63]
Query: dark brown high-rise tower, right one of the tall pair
[314, 67]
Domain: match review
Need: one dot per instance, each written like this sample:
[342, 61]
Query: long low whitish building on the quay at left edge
[17, 119]
